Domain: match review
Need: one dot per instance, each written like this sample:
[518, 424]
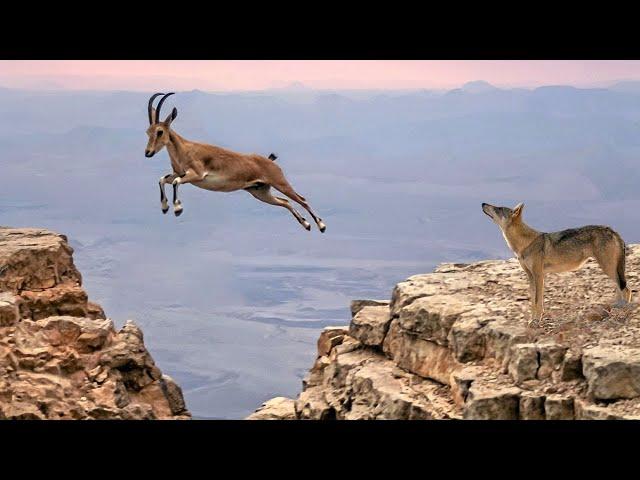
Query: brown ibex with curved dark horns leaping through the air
[214, 168]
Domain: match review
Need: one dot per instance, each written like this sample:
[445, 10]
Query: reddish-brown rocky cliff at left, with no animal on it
[60, 357]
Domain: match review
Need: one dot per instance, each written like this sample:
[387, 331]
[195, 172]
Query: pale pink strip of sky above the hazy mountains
[218, 75]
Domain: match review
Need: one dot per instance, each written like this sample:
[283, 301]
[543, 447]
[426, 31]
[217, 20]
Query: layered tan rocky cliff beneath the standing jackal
[454, 344]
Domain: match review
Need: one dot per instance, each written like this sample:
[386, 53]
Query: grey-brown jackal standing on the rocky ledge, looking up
[540, 252]
